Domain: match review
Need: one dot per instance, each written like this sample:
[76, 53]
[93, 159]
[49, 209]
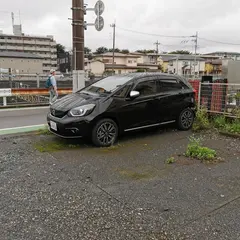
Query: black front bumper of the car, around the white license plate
[69, 127]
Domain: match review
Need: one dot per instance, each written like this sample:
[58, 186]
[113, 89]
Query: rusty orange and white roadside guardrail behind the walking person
[34, 96]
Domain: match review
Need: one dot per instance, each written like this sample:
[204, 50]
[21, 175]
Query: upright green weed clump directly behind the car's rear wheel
[201, 121]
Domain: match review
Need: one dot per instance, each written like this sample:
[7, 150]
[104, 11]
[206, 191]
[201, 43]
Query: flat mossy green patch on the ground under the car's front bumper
[53, 146]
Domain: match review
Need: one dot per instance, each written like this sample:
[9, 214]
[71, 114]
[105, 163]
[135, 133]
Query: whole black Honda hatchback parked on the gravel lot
[123, 103]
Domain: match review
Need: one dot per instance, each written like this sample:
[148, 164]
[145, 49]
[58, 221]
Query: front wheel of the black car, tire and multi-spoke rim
[105, 133]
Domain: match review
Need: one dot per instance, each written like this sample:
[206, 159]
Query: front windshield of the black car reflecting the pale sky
[107, 85]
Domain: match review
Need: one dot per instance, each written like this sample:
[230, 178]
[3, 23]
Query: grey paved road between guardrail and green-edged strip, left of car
[22, 117]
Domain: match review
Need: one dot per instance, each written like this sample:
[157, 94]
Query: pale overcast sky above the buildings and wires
[214, 20]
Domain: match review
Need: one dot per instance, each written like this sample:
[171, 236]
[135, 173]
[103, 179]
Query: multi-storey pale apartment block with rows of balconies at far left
[45, 47]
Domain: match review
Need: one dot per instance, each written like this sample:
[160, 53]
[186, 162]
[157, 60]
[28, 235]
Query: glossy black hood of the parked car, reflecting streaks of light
[74, 100]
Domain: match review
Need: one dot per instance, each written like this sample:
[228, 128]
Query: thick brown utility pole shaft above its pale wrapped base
[78, 33]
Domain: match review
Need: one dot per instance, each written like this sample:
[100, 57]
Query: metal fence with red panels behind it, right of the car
[218, 97]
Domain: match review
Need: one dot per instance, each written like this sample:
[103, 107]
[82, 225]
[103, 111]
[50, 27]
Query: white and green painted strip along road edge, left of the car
[24, 129]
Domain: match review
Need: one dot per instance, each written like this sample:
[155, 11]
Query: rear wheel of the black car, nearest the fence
[185, 119]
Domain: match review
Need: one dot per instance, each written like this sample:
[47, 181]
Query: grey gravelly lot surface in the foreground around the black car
[53, 190]
